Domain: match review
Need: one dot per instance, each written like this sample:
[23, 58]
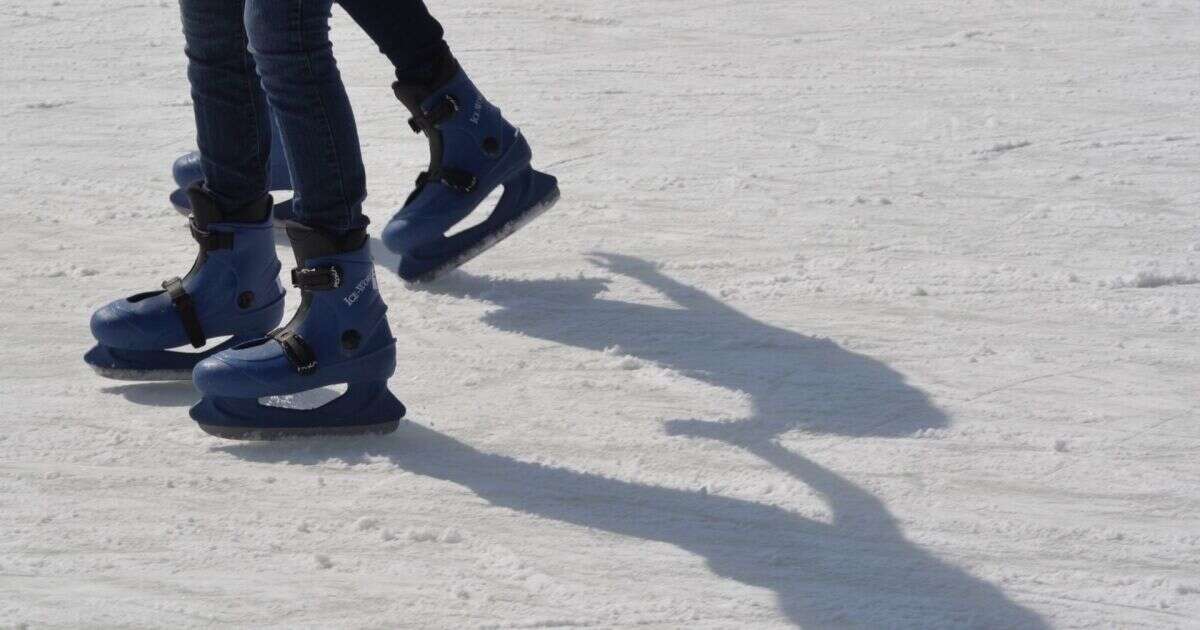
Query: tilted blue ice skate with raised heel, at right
[472, 152]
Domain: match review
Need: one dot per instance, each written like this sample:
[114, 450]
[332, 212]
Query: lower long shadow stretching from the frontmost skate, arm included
[855, 572]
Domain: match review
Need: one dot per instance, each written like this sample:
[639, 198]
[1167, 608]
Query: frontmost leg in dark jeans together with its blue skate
[340, 334]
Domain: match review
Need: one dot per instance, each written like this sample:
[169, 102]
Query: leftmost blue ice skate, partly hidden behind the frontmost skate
[233, 290]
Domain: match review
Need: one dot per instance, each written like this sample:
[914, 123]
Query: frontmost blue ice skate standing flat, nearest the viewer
[340, 335]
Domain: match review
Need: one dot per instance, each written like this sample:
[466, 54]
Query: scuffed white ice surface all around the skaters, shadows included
[854, 315]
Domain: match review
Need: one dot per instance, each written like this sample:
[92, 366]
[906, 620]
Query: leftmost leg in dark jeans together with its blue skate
[233, 287]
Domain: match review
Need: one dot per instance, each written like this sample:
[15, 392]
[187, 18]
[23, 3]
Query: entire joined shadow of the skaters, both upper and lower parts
[856, 571]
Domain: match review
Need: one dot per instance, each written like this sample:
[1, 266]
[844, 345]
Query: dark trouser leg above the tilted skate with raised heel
[405, 32]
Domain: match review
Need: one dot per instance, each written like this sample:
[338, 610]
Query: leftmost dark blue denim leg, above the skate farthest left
[232, 128]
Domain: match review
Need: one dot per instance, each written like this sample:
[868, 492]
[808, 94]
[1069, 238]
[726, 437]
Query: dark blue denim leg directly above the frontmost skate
[290, 41]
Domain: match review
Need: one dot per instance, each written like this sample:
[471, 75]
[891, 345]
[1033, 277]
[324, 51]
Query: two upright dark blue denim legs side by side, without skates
[238, 50]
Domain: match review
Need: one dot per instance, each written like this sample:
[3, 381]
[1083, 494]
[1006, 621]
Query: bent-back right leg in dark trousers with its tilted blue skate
[473, 151]
